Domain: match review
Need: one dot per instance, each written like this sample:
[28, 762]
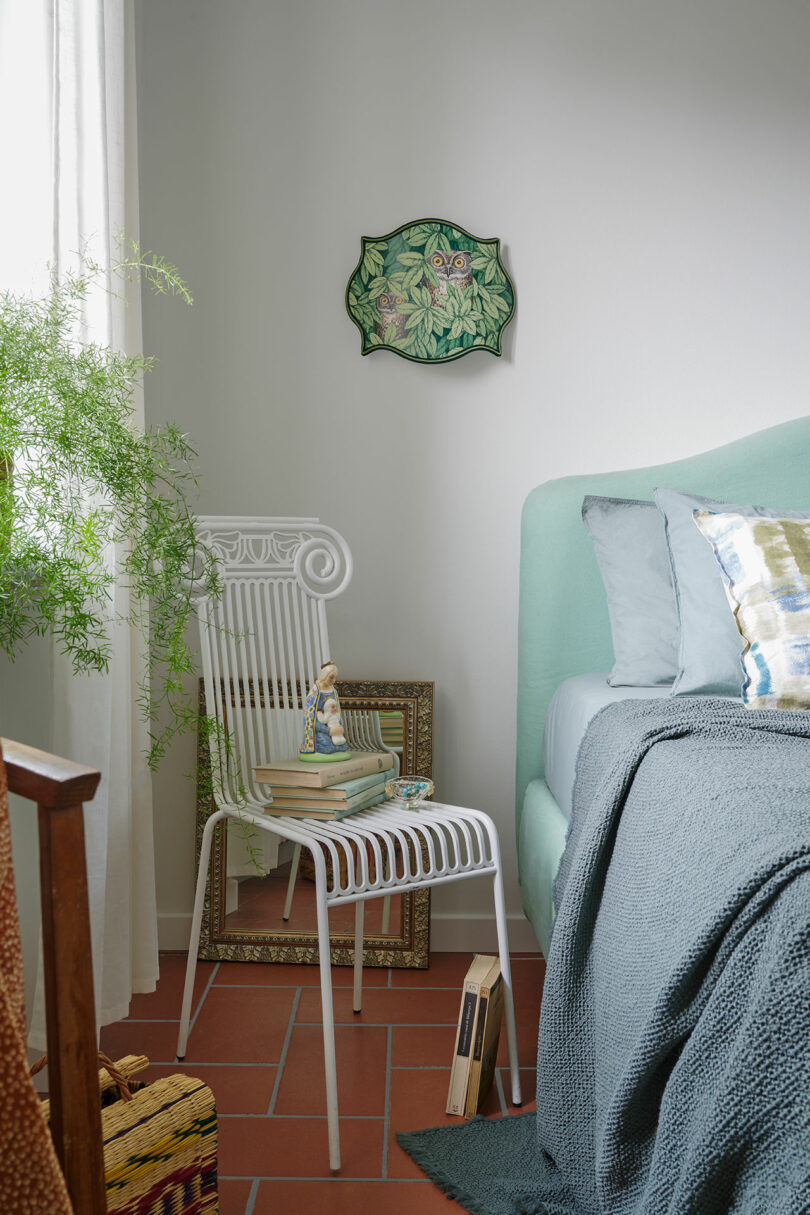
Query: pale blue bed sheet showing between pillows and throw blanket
[574, 707]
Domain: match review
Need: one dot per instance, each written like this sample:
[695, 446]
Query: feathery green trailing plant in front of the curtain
[81, 481]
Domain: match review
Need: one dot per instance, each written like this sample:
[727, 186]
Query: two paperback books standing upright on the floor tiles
[477, 1037]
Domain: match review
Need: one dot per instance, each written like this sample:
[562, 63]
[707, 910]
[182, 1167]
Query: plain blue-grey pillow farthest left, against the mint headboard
[633, 560]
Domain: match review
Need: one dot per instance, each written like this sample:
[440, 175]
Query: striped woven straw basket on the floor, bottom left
[160, 1146]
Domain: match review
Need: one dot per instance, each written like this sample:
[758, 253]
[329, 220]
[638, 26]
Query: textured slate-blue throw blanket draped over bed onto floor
[675, 1046]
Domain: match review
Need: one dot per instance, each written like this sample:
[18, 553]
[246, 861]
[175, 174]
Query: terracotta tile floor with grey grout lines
[257, 1042]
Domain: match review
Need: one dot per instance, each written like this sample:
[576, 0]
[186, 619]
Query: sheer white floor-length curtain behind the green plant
[67, 76]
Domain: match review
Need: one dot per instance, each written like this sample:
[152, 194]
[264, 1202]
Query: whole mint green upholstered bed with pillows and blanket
[664, 796]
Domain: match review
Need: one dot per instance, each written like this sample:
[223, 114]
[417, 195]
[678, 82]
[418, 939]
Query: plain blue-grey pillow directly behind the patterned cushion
[711, 647]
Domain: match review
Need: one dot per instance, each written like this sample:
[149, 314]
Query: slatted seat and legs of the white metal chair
[411, 850]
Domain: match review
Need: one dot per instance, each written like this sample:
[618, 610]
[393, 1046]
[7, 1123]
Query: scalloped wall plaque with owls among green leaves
[431, 292]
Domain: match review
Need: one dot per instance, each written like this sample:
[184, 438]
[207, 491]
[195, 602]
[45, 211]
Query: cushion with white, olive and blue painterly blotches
[766, 567]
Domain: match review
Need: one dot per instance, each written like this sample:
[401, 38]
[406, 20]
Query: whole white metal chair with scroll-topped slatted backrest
[262, 643]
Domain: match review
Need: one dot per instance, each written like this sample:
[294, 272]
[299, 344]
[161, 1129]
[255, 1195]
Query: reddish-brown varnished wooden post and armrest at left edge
[60, 788]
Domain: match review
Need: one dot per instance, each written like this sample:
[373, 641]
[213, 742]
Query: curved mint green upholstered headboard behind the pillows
[564, 628]
